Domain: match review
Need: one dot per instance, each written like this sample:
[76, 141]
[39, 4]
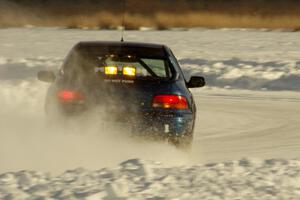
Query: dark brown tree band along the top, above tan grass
[148, 7]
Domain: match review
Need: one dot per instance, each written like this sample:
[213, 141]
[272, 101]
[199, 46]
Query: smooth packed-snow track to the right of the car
[233, 128]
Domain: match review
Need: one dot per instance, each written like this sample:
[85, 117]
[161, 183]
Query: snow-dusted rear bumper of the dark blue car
[161, 123]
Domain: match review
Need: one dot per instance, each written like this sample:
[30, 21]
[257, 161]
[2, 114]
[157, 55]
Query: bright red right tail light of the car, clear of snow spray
[170, 101]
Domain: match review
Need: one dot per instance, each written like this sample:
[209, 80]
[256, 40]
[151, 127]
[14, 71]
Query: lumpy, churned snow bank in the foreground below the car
[134, 179]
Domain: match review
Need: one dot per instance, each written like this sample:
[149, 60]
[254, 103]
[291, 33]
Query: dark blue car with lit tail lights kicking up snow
[139, 84]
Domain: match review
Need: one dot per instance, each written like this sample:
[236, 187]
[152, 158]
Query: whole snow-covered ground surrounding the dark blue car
[248, 122]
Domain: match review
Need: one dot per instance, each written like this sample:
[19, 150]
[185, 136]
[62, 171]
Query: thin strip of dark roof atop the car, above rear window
[121, 44]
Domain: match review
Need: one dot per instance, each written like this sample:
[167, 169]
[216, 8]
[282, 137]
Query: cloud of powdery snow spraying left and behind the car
[29, 140]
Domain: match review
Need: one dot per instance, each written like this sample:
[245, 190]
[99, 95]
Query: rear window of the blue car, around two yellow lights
[149, 63]
